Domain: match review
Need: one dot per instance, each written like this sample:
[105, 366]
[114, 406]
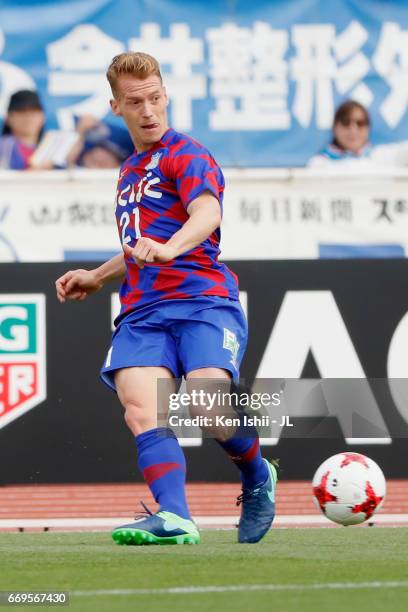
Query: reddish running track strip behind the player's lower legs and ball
[122, 500]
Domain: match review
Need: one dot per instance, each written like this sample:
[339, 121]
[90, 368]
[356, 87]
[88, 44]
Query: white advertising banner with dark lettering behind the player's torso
[300, 214]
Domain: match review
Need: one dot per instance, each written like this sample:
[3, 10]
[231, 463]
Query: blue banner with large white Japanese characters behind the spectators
[255, 82]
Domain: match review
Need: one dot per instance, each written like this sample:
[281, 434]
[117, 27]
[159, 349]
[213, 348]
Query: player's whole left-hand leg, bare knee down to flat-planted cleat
[160, 459]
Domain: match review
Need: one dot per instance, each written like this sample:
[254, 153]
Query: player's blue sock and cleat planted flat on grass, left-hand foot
[162, 463]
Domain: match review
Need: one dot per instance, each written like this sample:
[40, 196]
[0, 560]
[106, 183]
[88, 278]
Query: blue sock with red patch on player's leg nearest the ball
[243, 449]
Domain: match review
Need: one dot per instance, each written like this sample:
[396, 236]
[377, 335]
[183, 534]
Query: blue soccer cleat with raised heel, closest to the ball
[258, 508]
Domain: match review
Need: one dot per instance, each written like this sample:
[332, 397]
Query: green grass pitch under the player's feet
[284, 567]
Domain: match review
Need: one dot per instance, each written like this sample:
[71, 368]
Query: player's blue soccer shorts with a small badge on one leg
[181, 335]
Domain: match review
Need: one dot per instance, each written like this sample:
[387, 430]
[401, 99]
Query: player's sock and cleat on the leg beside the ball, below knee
[259, 479]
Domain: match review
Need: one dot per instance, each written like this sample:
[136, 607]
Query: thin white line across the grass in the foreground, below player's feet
[228, 588]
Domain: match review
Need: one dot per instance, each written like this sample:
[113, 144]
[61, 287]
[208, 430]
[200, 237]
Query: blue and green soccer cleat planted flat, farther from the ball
[160, 528]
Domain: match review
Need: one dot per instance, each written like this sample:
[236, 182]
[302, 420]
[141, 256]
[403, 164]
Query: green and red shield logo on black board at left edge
[22, 354]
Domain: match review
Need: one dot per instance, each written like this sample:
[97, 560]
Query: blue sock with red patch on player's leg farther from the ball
[162, 462]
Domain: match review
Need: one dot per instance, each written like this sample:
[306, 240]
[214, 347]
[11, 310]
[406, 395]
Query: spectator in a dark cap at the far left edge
[22, 130]
